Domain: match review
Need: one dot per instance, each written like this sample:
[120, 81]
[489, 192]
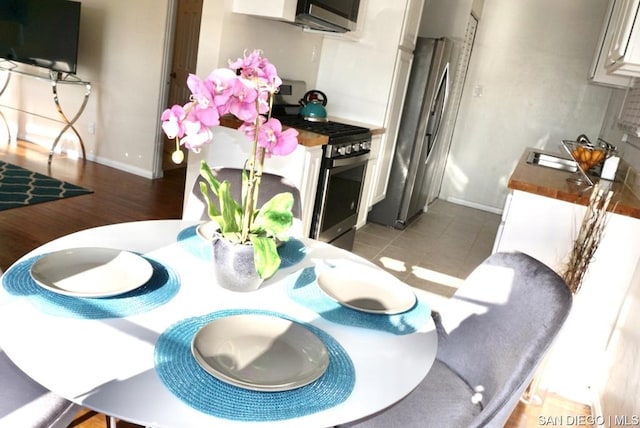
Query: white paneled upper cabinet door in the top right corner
[624, 52]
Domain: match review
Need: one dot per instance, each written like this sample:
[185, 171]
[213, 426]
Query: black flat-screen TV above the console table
[43, 33]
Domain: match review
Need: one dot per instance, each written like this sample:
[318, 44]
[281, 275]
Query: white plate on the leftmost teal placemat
[91, 272]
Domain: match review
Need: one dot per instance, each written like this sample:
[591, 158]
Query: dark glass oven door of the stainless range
[338, 199]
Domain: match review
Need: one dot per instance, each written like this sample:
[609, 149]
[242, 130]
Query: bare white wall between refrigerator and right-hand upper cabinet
[526, 86]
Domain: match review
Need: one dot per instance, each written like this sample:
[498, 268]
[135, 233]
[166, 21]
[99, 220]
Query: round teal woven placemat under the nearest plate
[182, 375]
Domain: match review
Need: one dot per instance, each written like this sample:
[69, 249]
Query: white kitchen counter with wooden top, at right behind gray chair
[542, 217]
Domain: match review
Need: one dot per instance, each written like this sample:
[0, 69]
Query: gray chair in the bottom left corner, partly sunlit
[24, 403]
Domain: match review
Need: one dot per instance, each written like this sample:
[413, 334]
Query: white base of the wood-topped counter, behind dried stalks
[545, 228]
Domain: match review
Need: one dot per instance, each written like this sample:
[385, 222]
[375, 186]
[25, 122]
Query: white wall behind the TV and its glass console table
[120, 53]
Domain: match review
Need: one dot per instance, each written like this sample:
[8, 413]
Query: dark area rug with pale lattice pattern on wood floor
[20, 187]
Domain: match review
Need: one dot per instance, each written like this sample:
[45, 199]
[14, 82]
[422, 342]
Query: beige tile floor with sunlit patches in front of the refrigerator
[436, 251]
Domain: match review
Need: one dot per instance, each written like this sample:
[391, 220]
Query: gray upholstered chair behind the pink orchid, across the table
[271, 184]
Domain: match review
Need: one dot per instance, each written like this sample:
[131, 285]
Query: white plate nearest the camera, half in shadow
[260, 352]
